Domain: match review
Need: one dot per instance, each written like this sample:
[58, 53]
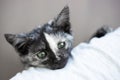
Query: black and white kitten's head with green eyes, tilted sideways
[47, 46]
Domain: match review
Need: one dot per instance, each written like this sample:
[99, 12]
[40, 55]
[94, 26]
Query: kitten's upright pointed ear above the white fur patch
[62, 20]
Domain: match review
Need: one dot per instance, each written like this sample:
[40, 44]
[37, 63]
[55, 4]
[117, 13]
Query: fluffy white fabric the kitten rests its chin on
[97, 60]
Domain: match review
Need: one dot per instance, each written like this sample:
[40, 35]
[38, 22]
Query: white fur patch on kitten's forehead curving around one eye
[53, 40]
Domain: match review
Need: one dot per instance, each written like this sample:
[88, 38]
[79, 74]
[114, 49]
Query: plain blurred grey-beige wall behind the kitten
[23, 15]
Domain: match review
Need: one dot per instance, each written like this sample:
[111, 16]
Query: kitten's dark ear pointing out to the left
[20, 42]
